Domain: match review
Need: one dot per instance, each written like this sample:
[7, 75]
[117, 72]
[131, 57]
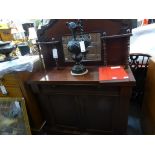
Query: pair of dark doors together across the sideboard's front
[95, 113]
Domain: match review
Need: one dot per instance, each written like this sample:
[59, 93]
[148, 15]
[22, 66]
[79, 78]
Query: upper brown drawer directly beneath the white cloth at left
[9, 80]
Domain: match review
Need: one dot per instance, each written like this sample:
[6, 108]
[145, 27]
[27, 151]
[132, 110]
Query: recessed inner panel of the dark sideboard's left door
[65, 109]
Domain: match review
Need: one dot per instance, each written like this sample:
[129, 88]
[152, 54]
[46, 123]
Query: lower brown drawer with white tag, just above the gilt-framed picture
[12, 92]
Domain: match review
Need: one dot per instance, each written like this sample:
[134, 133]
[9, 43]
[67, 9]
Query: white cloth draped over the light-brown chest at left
[23, 63]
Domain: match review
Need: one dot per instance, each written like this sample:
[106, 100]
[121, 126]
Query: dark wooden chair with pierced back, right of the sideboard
[138, 63]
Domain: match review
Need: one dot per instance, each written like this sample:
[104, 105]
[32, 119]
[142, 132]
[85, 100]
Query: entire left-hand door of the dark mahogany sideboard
[60, 110]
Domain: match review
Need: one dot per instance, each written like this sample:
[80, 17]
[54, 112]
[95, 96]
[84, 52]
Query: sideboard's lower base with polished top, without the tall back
[82, 104]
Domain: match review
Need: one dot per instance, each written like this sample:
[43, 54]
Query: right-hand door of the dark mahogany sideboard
[99, 112]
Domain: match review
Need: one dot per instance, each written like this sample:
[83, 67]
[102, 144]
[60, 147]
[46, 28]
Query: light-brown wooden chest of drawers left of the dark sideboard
[15, 84]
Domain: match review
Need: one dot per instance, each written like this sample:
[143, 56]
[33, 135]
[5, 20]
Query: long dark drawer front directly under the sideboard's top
[79, 89]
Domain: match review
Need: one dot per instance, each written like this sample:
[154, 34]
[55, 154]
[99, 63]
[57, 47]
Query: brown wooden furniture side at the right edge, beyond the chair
[148, 119]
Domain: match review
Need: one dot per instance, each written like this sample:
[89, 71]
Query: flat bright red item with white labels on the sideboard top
[112, 73]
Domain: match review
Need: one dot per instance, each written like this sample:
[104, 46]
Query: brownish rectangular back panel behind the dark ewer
[94, 49]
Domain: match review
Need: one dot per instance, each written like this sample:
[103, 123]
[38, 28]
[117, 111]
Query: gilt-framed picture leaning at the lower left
[13, 116]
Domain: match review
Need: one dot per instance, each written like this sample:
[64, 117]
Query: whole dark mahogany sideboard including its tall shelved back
[83, 104]
